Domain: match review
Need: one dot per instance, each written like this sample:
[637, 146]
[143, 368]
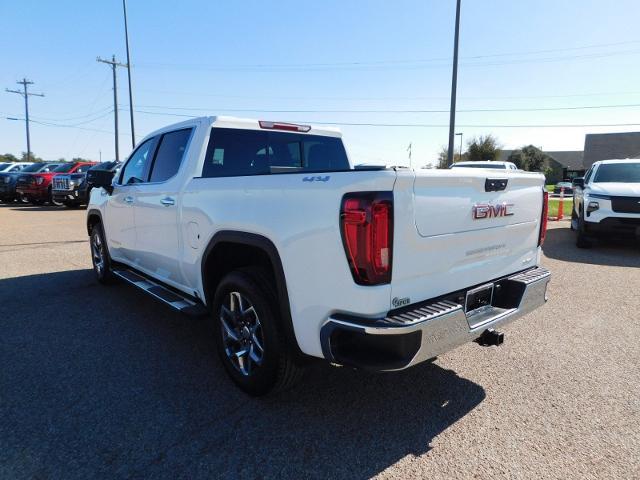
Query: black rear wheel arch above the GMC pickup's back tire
[230, 250]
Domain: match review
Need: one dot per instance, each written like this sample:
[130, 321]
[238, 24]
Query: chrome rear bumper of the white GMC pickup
[419, 332]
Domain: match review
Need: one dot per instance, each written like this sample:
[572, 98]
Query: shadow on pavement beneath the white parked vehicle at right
[560, 244]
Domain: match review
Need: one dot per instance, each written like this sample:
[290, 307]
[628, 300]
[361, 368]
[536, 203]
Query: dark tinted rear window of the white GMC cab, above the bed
[234, 152]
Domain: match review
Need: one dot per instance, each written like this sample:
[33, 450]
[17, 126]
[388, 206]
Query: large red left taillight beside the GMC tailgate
[366, 222]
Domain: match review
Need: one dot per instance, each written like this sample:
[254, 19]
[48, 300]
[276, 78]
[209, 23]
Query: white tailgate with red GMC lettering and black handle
[451, 233]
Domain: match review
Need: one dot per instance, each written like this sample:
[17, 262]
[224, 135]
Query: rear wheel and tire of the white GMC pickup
[244, 319]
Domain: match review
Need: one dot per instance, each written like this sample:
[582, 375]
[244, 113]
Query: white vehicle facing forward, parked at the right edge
[606, 202]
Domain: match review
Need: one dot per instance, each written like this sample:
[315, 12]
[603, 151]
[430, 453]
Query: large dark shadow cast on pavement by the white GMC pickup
[105, 382]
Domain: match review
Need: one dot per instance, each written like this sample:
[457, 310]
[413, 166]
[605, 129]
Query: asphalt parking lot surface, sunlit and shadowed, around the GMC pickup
[104, 382]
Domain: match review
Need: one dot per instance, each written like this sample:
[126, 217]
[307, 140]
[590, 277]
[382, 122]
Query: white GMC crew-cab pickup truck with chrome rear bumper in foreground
[292, 252]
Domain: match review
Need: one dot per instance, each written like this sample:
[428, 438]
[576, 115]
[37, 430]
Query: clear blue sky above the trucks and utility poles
[314, 60]
